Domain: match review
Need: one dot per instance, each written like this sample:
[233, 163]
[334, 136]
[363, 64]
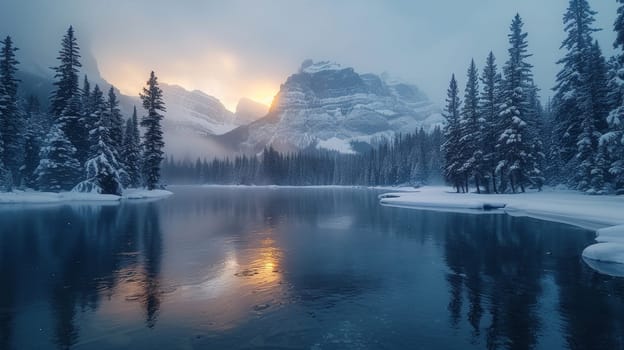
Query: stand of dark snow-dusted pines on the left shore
[82, 143]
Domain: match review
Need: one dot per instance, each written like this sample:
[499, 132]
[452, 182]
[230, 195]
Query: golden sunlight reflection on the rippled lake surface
[246, 283]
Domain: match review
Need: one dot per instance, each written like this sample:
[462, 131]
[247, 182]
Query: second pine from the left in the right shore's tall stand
[471, 126]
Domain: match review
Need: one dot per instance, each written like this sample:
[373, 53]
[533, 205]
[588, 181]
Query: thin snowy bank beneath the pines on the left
[34, 197]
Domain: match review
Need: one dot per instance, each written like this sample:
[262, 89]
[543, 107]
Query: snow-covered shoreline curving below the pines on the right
[605, 214]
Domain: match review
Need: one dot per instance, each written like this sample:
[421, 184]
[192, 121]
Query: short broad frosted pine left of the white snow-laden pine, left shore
[58, 167]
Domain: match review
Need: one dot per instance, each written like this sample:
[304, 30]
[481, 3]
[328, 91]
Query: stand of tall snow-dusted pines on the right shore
[500, 138]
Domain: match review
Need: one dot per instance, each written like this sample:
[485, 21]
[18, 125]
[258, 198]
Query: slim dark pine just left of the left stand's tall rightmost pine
[131, 155]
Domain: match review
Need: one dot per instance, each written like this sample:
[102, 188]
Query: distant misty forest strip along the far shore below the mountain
[408, 159]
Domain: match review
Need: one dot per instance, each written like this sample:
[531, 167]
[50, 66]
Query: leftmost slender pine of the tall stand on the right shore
[452, 136]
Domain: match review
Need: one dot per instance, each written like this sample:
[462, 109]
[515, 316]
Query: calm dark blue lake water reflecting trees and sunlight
[296, 269]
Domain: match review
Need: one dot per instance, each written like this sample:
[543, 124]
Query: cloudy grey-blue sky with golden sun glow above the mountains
[247, 48]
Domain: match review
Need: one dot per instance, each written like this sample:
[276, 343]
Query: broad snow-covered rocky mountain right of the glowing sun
[325, 105]
